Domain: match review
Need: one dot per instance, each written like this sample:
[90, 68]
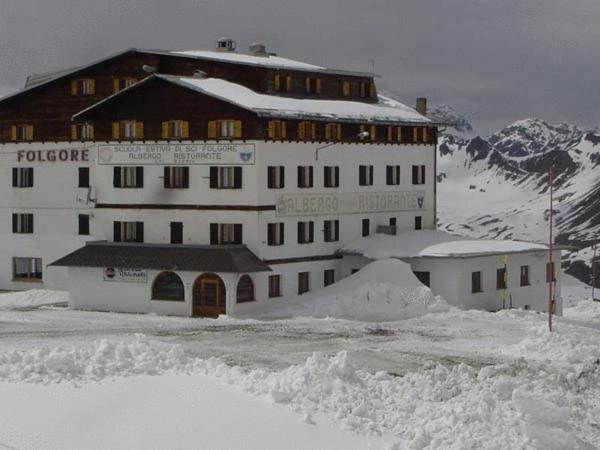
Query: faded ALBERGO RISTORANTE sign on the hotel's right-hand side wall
[350, 203]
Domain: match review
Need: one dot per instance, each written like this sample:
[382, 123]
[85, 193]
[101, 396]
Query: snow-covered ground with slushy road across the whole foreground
[452, 379]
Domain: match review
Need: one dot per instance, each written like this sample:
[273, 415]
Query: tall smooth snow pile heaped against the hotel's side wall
[382, 290]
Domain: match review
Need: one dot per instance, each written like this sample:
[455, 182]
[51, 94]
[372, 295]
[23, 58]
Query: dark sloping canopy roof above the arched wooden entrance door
[201, 258]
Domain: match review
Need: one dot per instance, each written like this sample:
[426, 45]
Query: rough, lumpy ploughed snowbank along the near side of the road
[517, 405]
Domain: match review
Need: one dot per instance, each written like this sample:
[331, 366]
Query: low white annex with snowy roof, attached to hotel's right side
[467, 273]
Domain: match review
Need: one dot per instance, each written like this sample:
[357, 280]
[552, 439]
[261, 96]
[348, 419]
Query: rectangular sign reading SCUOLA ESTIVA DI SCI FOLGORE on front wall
[176, 154]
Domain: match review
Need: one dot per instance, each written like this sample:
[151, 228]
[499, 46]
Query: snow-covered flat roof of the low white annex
[434, 244]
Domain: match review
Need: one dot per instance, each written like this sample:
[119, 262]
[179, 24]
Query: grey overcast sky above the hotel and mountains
[497, 61]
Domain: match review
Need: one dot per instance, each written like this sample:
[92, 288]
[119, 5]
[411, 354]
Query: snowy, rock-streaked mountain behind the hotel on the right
[497, 187]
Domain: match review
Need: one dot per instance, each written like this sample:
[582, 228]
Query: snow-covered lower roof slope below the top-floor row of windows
[285, 107]
